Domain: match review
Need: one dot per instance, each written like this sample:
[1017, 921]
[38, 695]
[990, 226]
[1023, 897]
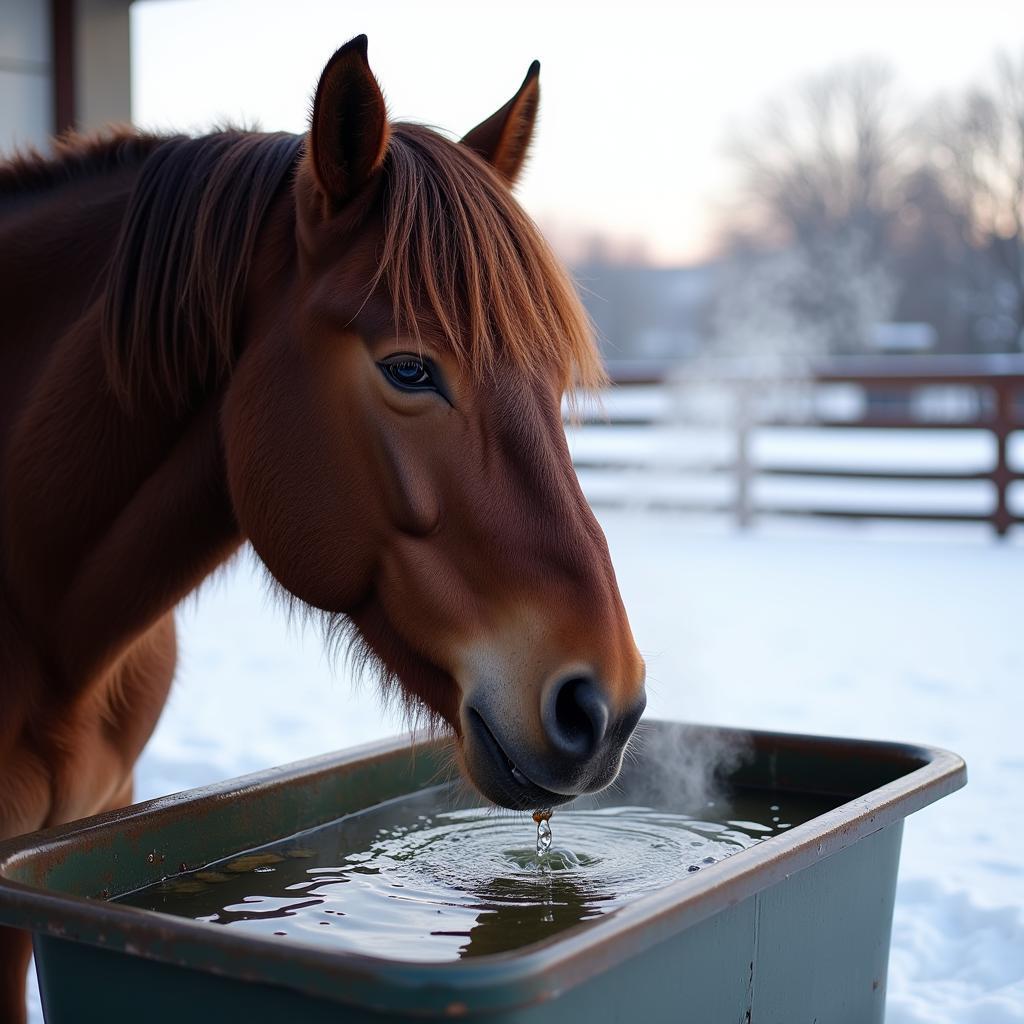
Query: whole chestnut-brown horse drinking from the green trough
[349, 349]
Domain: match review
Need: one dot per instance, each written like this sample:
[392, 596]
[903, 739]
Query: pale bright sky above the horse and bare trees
[637, 98]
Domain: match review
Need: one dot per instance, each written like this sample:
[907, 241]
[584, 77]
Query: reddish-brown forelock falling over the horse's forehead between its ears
[458, 246]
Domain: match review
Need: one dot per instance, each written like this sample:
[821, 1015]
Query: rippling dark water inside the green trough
[426, 879]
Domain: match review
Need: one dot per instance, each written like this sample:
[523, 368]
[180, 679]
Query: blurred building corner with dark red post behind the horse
[64, 64]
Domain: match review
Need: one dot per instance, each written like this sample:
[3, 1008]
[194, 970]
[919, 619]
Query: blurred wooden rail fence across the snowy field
[992, 389]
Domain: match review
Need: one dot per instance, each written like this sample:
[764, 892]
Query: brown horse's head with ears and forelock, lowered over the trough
[396, 446]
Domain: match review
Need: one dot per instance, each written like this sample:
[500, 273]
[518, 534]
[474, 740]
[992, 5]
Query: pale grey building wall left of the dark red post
[26, 74]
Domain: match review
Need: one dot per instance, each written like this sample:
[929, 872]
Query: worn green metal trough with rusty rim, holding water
[793, 931]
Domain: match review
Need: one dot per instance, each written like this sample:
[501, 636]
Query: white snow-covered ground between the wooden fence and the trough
[907, 634]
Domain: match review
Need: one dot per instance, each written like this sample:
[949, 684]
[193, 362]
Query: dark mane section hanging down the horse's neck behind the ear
[179, 273]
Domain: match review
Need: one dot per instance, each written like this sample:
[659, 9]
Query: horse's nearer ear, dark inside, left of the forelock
[349, 132]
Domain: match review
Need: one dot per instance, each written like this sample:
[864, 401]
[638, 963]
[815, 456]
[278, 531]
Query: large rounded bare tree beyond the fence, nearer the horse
[822, 178]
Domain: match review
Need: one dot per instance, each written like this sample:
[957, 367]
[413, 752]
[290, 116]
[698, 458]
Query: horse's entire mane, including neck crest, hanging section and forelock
[457, 246]
